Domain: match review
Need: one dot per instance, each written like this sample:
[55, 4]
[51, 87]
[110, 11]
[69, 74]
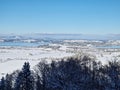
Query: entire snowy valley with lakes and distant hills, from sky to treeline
[15, 50]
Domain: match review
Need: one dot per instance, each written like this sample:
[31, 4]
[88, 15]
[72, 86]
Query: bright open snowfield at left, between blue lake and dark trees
[12, 58]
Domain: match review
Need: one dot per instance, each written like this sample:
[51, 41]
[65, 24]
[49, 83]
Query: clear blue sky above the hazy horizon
[60, 16]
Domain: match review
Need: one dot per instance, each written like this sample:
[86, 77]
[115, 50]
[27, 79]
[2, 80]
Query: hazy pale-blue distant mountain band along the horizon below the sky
[59, 36]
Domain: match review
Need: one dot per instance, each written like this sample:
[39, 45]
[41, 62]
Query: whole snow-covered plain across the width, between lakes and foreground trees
[13, 57]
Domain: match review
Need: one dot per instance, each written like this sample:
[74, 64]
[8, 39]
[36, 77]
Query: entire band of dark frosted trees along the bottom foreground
[71, 74]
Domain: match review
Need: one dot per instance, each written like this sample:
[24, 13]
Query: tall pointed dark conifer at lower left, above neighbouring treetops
[25, 80]
